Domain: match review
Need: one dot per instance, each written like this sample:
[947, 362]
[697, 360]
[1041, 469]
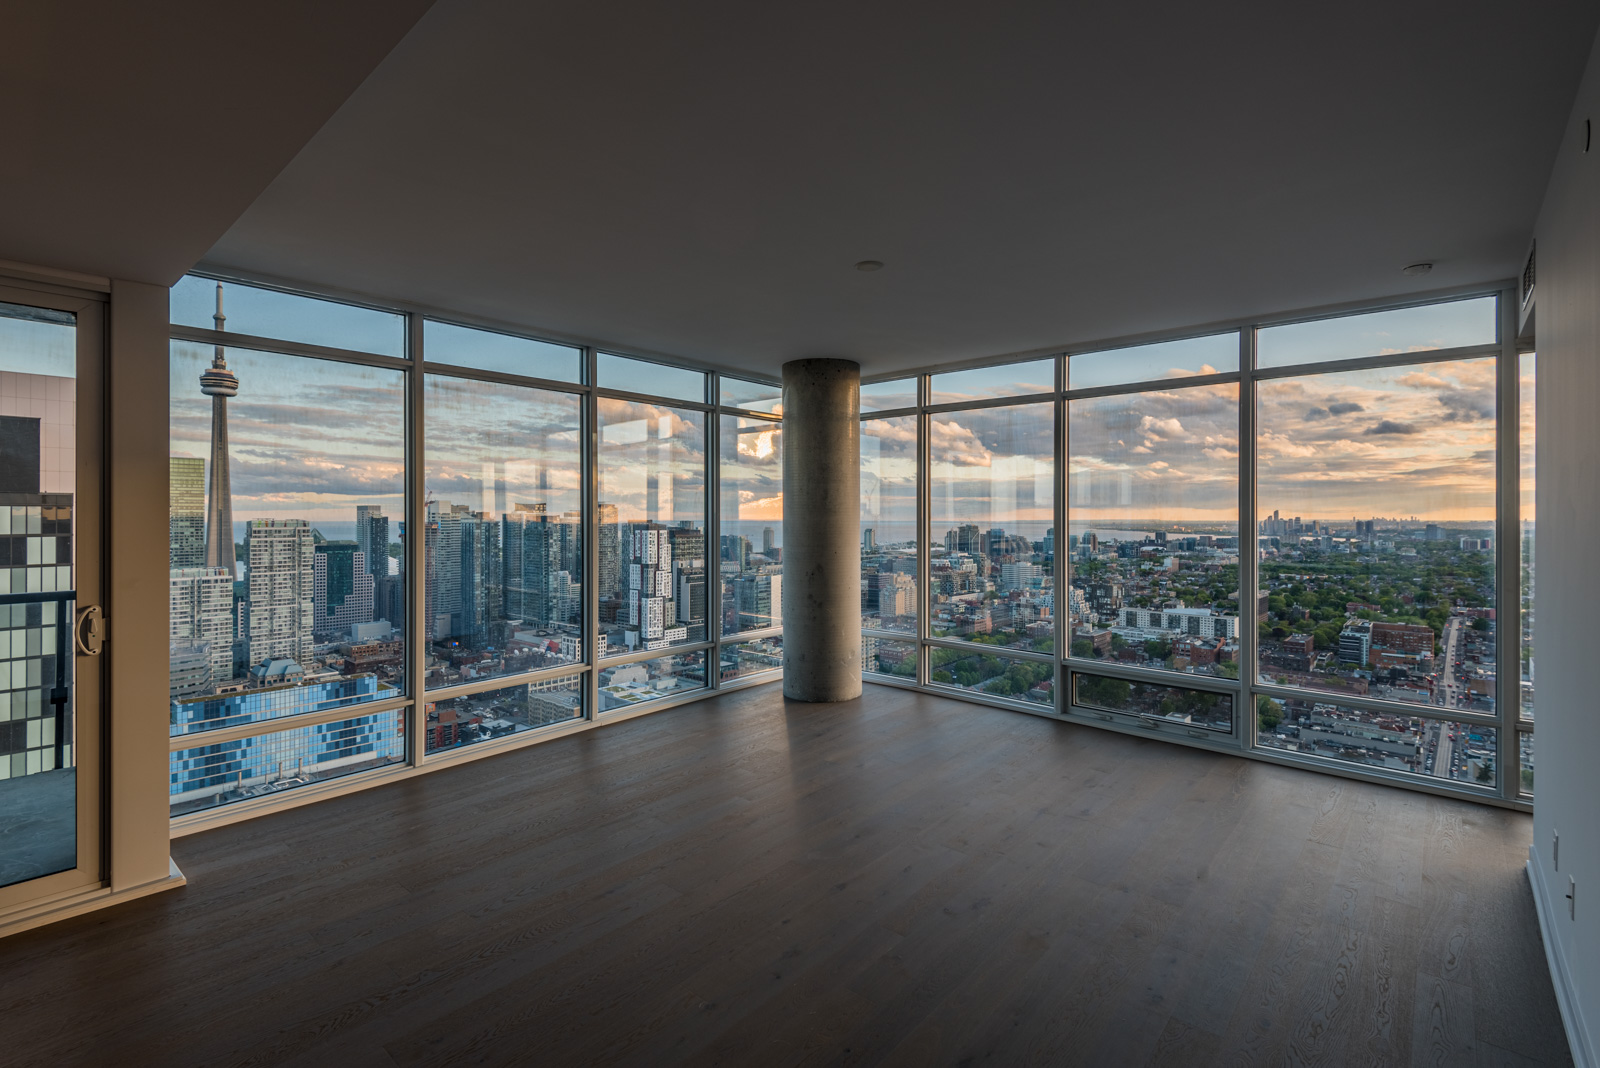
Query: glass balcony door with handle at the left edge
[52, 349]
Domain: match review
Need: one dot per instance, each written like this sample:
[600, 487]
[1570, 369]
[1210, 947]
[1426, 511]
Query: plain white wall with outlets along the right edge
[1567, 322]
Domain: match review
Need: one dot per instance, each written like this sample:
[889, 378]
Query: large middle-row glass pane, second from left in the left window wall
[505, 530]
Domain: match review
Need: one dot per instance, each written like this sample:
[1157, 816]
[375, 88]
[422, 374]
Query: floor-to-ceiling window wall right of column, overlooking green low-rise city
[1286, 538]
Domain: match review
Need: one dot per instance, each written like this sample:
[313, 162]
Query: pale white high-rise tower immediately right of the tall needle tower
[279, 576]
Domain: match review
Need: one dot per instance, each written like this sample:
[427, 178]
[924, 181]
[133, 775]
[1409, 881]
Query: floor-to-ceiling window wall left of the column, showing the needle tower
[398, 538]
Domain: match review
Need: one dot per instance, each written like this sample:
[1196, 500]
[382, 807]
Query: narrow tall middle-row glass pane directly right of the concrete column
[889, 524]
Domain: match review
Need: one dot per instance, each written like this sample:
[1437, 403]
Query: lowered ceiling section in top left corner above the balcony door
[137, 133]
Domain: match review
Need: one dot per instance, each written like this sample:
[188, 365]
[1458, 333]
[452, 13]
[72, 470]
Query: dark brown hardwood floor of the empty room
[745, 882]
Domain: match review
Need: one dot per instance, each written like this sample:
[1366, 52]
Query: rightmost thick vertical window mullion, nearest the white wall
[1508, 552]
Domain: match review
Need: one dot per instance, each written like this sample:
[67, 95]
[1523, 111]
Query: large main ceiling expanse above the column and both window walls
[700, 180]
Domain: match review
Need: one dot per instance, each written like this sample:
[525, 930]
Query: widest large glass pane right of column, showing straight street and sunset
[1377, 496]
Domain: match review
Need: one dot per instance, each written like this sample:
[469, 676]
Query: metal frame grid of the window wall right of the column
[1242, 741]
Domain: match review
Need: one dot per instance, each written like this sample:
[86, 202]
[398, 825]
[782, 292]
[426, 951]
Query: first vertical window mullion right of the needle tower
[415, 549]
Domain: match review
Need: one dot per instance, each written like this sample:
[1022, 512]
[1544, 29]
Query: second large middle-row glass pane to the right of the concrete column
[993, 487]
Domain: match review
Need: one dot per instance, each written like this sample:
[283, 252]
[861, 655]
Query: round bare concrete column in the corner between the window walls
[822, 530]
